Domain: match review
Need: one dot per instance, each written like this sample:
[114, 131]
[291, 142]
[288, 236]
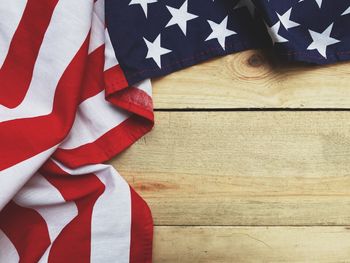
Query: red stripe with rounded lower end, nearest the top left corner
[17, 70]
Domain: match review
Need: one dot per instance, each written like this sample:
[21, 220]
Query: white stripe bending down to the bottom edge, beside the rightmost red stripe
[111, 217]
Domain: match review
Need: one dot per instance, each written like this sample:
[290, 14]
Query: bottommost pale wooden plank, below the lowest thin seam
[251, 244]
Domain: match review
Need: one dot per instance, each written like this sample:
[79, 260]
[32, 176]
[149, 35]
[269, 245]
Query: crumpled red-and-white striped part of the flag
[62, 113]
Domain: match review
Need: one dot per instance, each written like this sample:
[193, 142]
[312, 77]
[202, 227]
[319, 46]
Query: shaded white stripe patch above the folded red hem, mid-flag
[95, 117]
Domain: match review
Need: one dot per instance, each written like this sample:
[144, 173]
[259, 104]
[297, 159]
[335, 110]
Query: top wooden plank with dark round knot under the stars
[253, 79]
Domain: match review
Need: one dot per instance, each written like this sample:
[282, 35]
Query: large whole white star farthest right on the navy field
[322, 40]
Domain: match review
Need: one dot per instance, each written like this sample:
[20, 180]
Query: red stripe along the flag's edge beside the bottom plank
[141, 230]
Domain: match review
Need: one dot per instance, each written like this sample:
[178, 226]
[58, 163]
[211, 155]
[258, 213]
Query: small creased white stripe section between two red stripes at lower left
[43, 197]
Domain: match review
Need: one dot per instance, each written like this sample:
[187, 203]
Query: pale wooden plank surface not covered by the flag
[249, 161]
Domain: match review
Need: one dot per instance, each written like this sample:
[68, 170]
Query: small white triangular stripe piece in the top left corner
[11, 13]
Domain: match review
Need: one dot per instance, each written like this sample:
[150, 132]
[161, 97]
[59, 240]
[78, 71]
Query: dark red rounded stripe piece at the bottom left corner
[27, 230]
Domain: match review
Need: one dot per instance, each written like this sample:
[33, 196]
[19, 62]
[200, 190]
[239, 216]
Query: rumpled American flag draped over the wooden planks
[75, 91]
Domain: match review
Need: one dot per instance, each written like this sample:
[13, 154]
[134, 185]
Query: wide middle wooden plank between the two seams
[244, 168]
